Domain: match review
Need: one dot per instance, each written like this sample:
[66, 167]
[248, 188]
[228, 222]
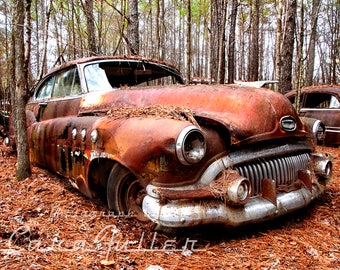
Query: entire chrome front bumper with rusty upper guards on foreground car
[177, 209]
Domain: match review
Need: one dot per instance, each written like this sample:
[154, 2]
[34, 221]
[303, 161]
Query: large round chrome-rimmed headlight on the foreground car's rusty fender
[190, 145]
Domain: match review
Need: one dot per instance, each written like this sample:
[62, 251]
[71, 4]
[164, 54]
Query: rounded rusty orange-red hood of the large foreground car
[248, 113]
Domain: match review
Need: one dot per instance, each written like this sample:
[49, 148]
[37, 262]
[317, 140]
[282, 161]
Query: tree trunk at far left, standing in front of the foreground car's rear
[23, 169]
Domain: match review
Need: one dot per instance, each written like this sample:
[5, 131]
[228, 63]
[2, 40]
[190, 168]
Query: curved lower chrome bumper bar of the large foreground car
[179, 213]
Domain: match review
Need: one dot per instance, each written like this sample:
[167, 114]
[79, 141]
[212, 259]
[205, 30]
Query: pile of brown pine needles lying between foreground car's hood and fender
[156, 111]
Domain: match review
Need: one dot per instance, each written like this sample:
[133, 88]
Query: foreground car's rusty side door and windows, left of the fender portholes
[55, 100]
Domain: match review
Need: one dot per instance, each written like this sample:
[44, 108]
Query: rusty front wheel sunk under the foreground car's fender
[125, 193]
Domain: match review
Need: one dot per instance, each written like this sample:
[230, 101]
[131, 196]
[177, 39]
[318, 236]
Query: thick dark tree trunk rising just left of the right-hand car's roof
[285, 83]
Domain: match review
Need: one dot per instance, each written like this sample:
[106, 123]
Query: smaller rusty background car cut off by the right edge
[322, 103]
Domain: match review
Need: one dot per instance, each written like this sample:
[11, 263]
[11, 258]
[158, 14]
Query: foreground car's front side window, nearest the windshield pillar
[67, 83]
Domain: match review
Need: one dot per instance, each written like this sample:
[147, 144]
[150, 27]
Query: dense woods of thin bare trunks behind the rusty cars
[294, 42]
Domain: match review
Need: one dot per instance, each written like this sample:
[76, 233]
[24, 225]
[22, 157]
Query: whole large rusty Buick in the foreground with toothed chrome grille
[130, 131]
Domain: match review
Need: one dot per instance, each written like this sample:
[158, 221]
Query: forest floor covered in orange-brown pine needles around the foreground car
[46, 224]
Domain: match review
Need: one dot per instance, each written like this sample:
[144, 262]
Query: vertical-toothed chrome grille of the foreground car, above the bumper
[284, 170]
